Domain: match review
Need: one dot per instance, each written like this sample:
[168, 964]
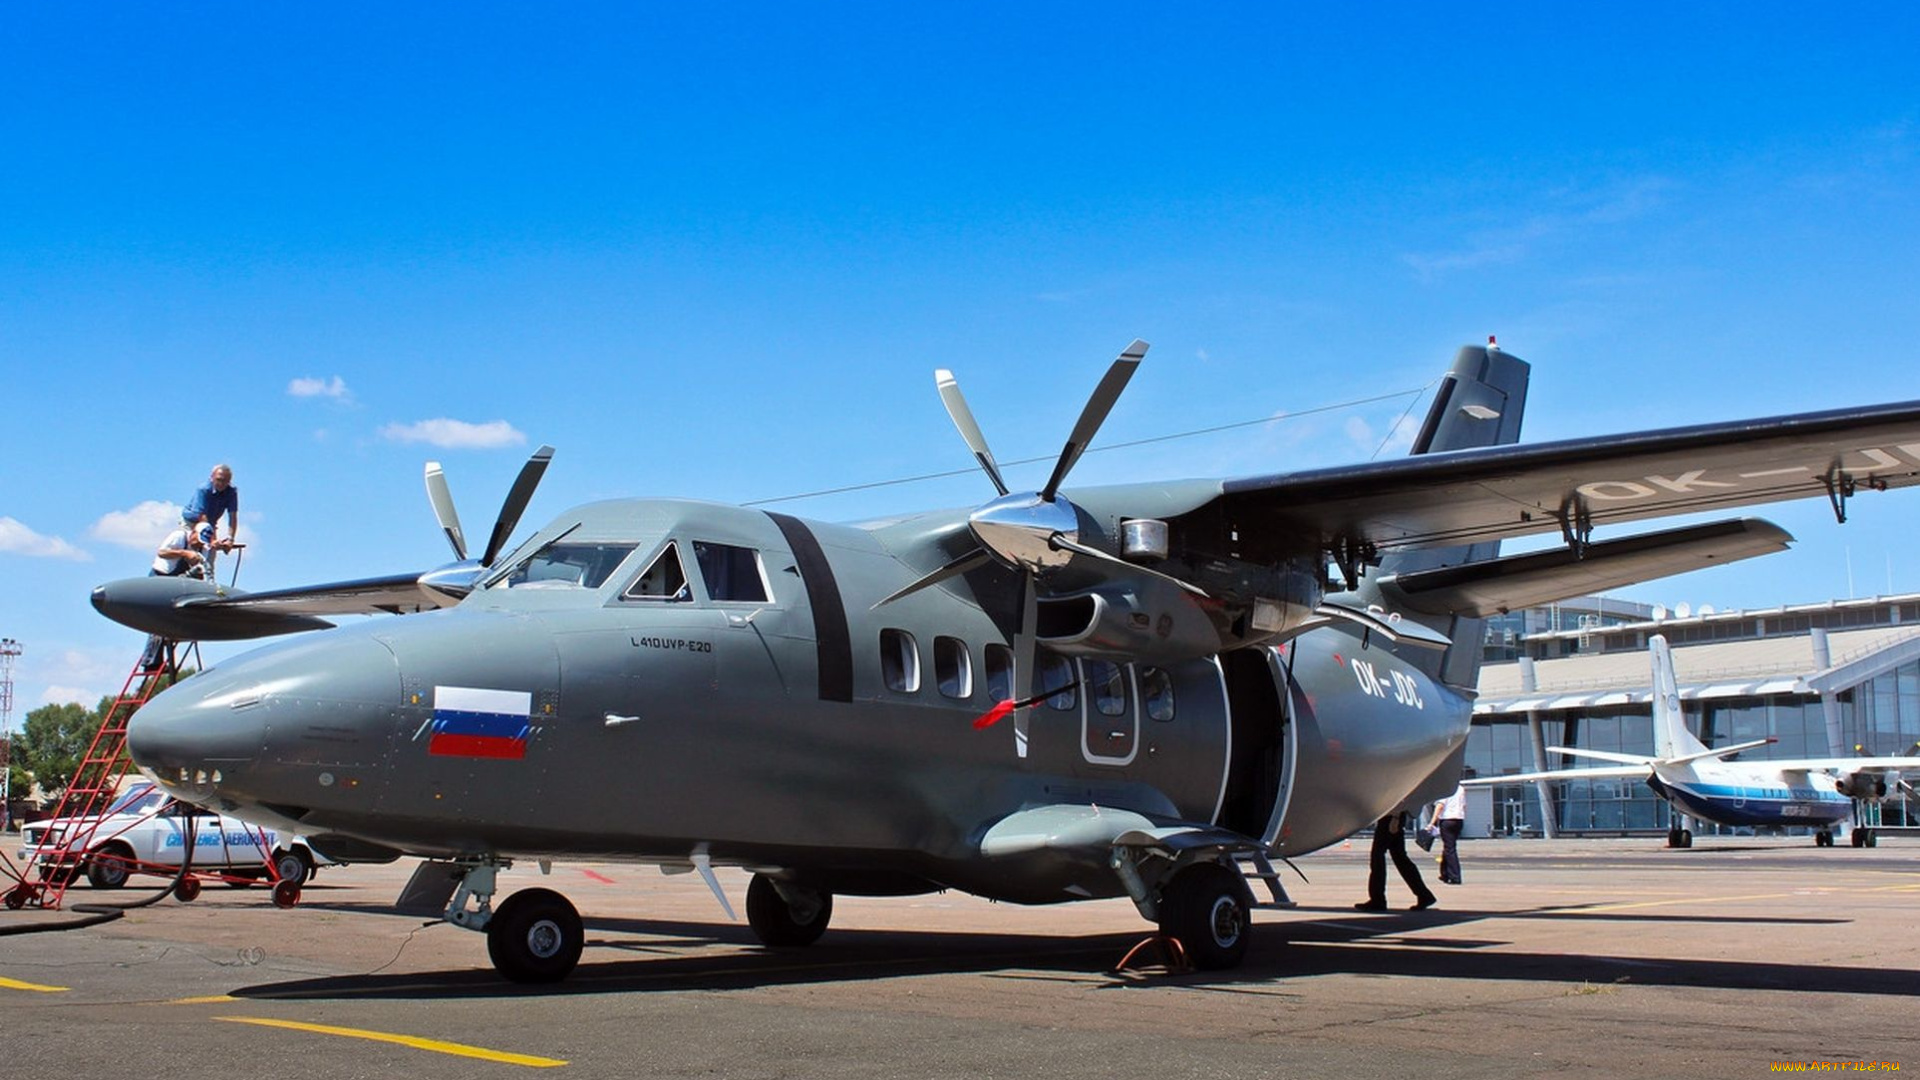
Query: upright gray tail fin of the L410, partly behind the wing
[1479, 403]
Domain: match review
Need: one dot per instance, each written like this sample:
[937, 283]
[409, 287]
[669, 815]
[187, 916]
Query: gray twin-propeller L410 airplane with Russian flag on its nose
[1040, 700]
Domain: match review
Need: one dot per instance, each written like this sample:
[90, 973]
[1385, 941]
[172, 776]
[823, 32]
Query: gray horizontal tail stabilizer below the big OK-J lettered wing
[1545, 577]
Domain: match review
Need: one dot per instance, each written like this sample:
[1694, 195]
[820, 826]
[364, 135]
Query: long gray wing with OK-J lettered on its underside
[1575, 485]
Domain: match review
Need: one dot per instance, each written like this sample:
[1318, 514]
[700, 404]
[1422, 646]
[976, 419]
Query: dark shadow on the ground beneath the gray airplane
[636, 956]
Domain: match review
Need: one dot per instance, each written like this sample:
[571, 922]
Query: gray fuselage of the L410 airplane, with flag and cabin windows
[690, 679]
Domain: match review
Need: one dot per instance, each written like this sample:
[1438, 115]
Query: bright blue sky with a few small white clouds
[719, 253]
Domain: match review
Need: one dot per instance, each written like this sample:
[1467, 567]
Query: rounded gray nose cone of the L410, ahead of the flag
[214, 733]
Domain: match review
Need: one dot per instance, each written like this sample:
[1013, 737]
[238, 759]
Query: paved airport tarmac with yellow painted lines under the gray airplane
[1572, 958]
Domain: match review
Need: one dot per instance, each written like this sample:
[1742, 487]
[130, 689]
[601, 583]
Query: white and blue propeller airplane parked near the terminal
[1804, 791]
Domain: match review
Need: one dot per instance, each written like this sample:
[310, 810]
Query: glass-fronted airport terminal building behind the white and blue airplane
[1821, 679]
